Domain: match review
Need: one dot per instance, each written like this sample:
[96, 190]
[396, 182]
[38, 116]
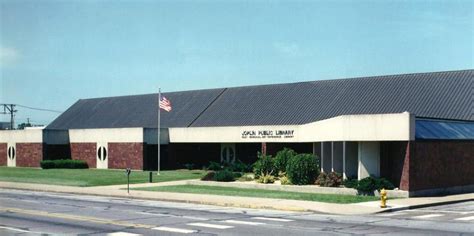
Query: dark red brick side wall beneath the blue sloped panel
[441, 164]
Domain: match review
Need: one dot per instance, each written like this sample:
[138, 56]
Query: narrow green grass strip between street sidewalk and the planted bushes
[229, 191]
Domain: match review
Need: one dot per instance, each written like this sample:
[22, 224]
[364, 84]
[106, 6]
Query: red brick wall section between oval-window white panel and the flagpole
[125, 155]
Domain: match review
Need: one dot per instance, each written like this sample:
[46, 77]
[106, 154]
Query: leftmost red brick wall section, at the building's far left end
[29, 154]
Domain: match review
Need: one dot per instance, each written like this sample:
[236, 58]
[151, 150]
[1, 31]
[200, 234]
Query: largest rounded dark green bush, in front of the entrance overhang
[302, 169]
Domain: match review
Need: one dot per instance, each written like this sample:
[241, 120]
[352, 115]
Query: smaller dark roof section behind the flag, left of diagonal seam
[135, 111]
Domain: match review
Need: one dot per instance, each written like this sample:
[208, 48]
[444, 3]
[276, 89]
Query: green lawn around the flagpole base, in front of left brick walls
[90, 177]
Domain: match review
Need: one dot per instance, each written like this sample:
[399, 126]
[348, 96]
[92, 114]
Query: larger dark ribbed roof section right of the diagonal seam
[444, 95]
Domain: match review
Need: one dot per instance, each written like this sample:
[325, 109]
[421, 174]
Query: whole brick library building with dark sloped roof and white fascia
[417, 130]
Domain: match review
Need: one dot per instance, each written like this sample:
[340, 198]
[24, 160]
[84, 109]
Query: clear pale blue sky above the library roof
[53, 53]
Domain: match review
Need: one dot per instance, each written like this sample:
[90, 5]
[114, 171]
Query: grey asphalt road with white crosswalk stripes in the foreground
[34, 213]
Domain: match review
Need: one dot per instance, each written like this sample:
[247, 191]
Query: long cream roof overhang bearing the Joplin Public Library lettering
[373, 127]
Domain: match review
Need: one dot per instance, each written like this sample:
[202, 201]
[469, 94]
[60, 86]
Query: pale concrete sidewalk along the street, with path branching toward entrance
[245, 202]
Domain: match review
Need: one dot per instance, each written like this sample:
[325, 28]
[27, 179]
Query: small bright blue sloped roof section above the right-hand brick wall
[442, 129]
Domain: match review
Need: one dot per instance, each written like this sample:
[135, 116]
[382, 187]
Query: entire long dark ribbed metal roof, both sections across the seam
[439, 95]
